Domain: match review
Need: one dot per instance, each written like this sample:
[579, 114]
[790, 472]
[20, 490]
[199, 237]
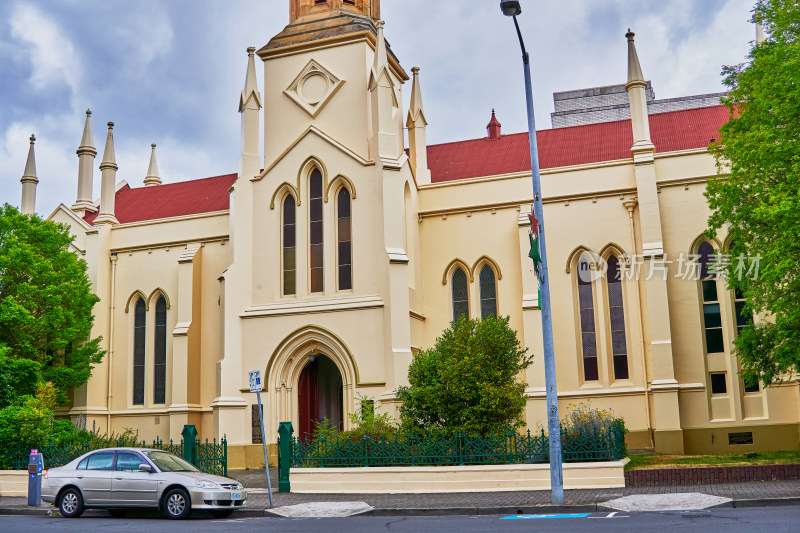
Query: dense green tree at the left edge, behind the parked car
[45, 309]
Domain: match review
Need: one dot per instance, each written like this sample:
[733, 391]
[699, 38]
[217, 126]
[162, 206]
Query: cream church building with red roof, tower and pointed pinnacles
[340, 247]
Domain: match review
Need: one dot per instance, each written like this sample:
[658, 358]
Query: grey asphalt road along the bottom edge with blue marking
[771, 519]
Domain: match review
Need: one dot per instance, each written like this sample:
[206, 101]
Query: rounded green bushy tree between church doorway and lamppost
[468, 381]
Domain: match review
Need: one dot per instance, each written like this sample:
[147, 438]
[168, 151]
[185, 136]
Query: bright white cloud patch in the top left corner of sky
[52, 56]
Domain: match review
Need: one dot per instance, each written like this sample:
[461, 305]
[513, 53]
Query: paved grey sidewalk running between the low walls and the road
[763, 493]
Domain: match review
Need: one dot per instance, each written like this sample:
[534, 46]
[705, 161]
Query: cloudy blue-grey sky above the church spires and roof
[171, 71]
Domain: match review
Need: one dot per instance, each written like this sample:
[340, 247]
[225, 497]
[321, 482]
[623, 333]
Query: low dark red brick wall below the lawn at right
[702, 476]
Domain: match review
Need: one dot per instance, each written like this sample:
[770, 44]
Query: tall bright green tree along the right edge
[757, 193]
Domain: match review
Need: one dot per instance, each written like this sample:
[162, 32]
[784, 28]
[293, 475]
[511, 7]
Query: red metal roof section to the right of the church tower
[577, 145]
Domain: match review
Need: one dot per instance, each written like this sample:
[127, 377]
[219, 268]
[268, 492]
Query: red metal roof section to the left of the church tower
[172, 200]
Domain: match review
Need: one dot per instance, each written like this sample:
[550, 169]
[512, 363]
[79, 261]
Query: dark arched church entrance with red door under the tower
[320, 395]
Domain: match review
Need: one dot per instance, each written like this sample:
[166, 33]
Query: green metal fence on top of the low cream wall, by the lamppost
[510, 447]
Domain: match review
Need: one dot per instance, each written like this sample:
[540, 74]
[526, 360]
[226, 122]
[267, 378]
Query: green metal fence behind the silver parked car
[210, 457]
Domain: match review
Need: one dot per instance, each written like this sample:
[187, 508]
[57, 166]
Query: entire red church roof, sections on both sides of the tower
[559, 147]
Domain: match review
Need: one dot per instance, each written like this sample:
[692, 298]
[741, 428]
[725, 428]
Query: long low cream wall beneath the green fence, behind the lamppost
[479, 478]
